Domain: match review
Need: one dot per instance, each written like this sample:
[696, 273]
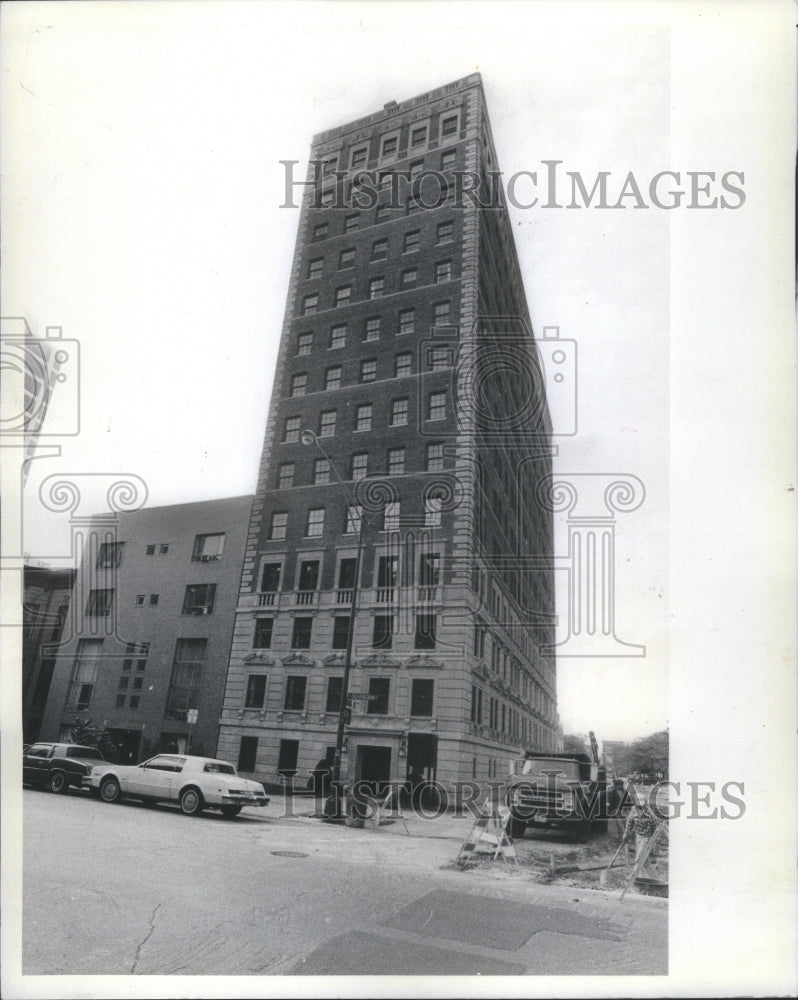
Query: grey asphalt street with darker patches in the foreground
[130, 889]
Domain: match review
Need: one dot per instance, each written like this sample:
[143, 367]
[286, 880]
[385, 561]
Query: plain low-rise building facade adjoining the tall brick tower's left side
[145, 647]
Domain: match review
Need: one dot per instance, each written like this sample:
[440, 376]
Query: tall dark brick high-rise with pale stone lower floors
[408, 394]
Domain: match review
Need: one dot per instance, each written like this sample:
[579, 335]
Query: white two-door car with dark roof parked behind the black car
[196, 783]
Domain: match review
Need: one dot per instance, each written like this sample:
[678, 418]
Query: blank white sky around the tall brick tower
[148, 172]
